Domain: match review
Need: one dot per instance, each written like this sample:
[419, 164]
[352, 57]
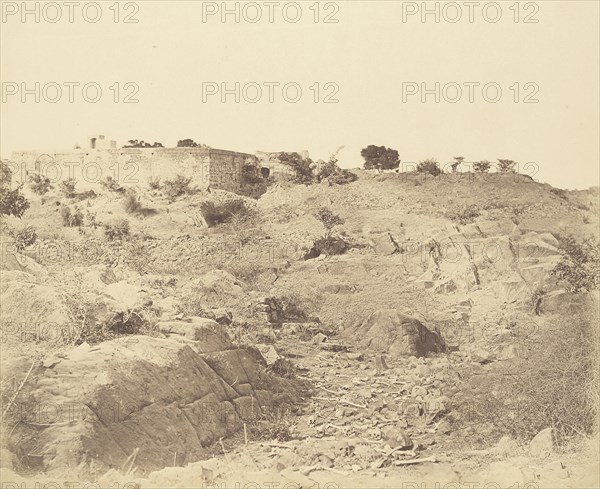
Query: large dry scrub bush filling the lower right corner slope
[554, 385]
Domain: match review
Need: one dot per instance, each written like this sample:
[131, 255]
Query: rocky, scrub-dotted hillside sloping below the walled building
[197, 333]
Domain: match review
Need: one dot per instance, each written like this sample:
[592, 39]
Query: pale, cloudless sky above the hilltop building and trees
[368, 55]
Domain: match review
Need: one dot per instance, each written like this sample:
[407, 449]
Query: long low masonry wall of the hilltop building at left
[134, 166]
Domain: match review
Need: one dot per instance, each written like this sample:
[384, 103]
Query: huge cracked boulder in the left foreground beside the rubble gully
[152, 397]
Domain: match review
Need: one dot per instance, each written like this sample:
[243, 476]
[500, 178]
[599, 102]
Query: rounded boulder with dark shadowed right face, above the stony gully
[395, 333]
